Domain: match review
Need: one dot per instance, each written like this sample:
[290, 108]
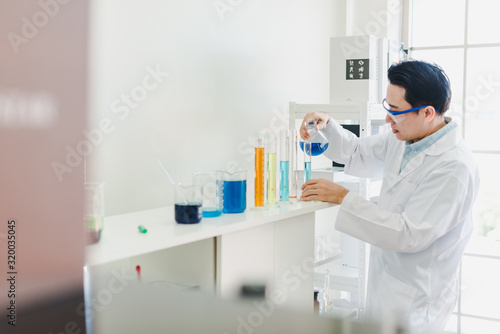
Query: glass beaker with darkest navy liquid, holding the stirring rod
[188, 208]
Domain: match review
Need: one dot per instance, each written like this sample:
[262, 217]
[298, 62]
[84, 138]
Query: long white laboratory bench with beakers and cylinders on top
[271, 246]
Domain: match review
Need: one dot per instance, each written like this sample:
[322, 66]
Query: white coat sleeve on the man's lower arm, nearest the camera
[439, 203]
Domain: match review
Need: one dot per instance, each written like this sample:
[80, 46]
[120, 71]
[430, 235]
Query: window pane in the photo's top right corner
[484, 24]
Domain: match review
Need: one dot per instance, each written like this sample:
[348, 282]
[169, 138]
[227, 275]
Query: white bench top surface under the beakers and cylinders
[121, 238]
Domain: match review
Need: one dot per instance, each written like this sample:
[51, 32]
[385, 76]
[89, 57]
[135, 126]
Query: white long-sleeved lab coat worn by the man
[418, 230]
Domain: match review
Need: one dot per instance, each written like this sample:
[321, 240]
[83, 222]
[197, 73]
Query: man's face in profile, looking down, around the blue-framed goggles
[411, 128]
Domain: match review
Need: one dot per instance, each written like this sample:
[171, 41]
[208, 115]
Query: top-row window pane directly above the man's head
[438, 22]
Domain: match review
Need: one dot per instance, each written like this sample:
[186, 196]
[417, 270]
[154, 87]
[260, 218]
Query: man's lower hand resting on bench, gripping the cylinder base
[323, 190]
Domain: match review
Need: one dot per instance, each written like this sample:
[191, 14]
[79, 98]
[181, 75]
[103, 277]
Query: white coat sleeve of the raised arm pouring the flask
[361, 157]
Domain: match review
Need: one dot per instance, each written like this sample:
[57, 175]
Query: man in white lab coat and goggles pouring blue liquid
[422, 222]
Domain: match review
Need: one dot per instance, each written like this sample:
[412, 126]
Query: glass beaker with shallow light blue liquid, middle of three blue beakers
[211, 190]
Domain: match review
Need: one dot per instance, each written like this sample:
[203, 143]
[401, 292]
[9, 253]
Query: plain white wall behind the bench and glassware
[230, 73]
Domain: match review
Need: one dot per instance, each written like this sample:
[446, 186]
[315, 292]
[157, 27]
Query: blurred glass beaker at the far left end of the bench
[94, 211]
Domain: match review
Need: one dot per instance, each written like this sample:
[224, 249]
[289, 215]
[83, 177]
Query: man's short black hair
[424, 83]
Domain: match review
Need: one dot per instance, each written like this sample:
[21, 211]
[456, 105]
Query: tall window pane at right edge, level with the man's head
[482, 102]
